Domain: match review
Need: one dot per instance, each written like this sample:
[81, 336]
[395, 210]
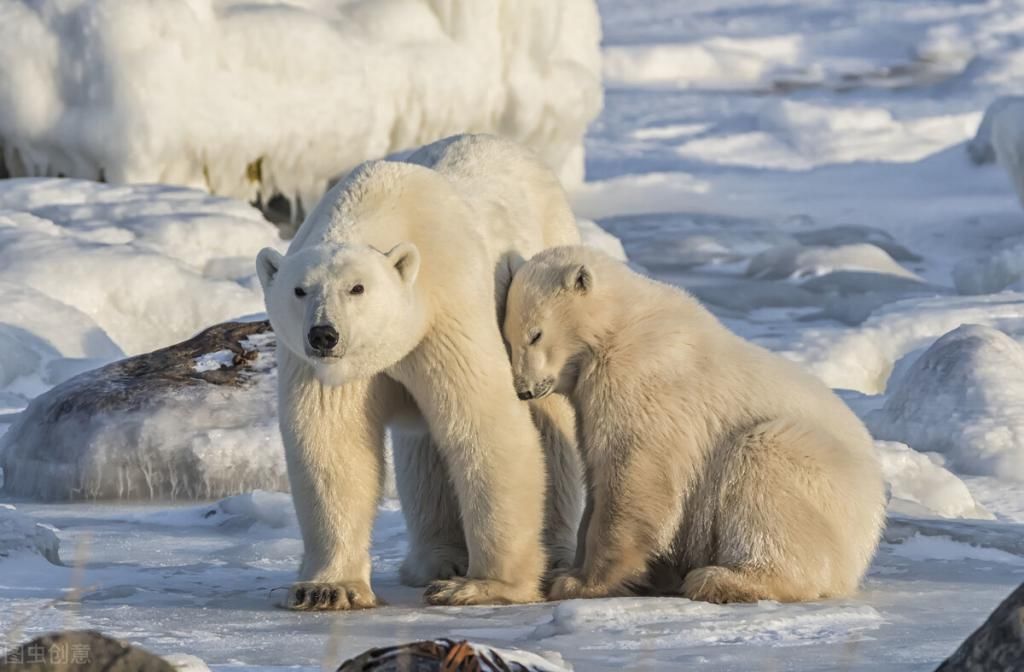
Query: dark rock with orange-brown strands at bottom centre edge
[438, 656]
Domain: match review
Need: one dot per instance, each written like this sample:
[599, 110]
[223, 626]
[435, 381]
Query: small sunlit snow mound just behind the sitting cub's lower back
[919, 485]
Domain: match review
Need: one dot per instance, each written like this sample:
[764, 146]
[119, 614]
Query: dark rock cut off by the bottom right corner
[998, 646]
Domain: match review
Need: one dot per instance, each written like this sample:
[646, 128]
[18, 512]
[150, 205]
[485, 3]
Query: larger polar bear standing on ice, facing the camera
[388, 311]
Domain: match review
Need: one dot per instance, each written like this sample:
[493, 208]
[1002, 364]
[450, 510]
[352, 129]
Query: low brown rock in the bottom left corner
[81, 651]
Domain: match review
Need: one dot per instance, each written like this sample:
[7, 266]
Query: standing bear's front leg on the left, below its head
[334, 447]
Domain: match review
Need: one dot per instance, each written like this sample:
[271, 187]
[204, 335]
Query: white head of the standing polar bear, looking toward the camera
[350, 311]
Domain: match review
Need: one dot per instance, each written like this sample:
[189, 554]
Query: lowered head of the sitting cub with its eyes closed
[546, 321]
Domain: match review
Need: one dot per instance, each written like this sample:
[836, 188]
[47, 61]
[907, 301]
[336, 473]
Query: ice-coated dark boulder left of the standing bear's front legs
[193, 421]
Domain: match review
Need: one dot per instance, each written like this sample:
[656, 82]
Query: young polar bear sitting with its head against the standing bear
[715, 469]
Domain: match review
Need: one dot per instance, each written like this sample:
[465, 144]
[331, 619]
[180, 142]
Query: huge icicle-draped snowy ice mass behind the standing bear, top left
[257, 99]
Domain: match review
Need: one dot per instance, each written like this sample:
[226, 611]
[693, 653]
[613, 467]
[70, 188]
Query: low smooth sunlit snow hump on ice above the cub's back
[801, 262]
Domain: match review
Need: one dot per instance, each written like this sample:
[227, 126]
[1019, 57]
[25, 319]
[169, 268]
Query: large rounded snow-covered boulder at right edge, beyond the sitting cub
[964, 398]
